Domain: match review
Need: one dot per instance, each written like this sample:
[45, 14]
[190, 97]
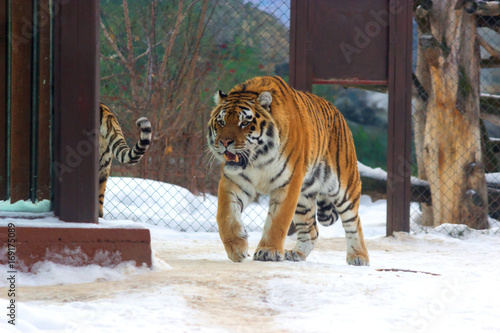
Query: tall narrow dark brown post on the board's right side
[399, 122]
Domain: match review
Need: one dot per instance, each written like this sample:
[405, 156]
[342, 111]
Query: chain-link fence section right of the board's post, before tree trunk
[455, 123]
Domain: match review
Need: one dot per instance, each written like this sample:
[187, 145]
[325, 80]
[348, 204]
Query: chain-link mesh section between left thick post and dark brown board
[165, 60]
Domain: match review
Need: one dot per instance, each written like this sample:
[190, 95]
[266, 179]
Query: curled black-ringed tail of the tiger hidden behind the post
[121, 150]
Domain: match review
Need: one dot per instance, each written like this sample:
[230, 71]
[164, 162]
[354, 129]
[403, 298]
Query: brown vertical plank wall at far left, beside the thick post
[25, 122]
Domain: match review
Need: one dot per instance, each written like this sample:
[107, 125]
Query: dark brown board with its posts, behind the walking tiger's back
[309, 64]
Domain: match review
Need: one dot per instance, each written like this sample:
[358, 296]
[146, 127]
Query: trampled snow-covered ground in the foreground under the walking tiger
[429, 282]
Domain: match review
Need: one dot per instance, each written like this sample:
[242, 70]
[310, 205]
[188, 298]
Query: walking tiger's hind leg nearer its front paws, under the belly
[307, 229]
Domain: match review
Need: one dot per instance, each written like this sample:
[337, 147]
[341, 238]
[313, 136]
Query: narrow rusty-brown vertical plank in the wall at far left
[20, 94]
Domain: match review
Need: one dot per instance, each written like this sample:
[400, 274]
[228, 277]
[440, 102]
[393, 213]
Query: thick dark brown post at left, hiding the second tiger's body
[76, 52]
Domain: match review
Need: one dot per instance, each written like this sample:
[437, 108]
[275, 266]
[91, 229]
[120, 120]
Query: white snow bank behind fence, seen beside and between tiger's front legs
[170, 205]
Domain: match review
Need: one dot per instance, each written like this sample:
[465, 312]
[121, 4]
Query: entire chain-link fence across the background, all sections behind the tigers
[166, 59]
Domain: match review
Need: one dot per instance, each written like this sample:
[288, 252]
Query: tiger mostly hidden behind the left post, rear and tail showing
[112, 143]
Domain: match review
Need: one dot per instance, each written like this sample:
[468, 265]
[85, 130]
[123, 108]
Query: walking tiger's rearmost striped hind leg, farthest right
[357, 254]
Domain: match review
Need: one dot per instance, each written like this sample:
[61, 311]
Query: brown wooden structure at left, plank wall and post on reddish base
[54, 135]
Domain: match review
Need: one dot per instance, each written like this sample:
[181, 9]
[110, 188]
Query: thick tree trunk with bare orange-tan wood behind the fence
[447, 133]
